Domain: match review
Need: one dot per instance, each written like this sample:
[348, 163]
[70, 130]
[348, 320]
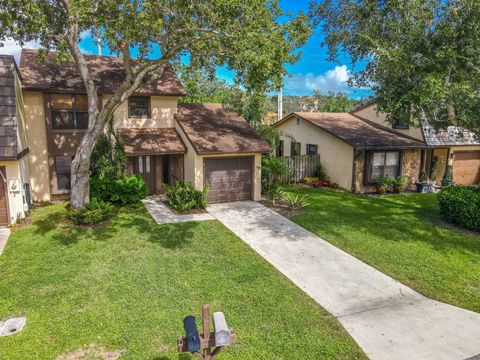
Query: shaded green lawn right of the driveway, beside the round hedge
[402, 236]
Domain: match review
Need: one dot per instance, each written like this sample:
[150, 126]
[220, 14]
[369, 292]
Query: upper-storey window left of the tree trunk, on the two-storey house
[69, 111]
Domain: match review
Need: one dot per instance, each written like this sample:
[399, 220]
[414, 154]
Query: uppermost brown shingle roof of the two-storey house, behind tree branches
[107, 72]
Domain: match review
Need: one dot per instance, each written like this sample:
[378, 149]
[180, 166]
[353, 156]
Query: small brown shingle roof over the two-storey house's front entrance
[156, 141]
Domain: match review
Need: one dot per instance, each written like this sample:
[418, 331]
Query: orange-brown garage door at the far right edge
[466, 167]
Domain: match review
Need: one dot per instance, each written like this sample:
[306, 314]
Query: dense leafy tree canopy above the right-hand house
[422, 56]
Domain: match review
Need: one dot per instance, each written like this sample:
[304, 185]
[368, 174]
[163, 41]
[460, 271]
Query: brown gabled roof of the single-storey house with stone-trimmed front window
[358, 132]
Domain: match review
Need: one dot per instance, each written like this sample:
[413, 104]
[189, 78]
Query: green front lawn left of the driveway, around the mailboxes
[127, 286]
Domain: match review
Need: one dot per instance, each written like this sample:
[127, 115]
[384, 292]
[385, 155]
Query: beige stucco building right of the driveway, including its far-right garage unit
[358, 146]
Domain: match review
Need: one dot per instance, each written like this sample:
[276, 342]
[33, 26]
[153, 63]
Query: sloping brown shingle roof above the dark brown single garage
[212, 130]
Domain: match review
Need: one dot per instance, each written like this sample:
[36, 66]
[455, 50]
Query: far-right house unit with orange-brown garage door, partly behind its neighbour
[455, 146]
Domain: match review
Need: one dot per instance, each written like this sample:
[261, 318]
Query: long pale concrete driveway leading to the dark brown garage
[387, 319]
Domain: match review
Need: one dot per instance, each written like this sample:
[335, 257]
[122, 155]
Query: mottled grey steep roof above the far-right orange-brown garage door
[453, 136]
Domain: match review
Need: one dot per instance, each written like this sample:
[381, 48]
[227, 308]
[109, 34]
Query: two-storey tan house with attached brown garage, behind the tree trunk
[164, 142]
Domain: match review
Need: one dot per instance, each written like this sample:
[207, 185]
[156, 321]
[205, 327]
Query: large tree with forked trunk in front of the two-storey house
[243, 35]
